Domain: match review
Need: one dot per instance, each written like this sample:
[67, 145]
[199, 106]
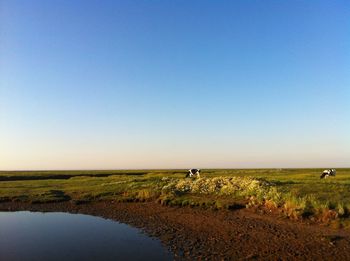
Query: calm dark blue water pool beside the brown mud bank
[60, 236]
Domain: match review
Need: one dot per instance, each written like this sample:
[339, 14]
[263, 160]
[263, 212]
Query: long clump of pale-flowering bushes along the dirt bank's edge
[257, 192]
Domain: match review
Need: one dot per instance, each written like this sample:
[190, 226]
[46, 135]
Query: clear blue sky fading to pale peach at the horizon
[174, 84]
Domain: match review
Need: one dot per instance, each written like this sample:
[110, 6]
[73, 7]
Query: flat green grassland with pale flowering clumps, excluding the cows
[293, 193]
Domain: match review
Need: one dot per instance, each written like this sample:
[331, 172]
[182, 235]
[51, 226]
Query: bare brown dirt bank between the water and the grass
[194, 233]
